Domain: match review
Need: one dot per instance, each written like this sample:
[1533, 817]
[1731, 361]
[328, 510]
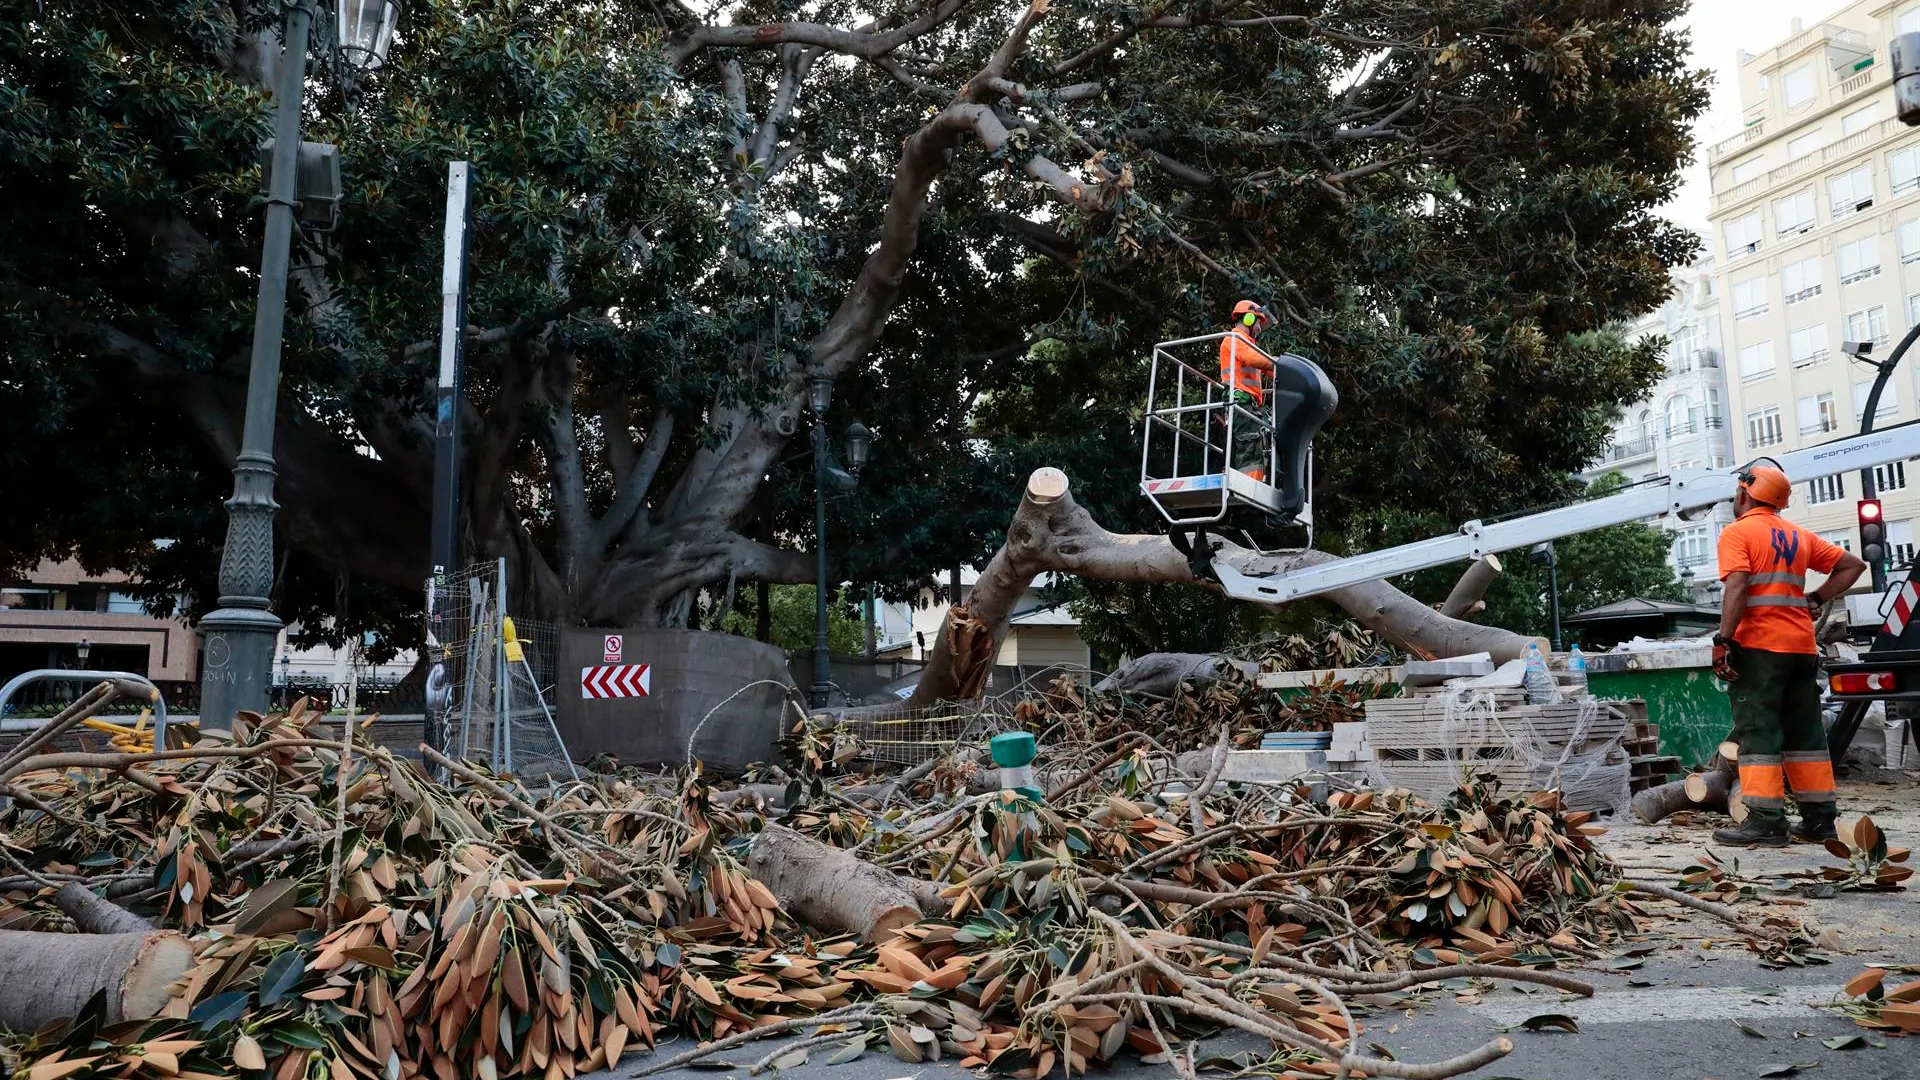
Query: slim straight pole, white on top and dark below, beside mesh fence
[446, 514]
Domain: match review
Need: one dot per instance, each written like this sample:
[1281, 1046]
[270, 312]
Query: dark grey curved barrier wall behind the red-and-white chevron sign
[690, 674]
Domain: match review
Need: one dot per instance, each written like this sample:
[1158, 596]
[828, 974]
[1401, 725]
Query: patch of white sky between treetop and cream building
[1721, 30]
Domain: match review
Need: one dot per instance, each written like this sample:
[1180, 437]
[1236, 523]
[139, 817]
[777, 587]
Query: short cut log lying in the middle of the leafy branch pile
[830, 889]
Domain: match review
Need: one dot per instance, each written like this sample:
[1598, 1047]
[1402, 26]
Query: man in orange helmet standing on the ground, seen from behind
[1767, 656]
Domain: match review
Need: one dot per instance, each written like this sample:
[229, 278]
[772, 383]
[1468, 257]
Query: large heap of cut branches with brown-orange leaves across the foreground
[350, 916]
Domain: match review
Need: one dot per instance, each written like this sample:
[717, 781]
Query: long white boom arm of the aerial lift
[1683, 493]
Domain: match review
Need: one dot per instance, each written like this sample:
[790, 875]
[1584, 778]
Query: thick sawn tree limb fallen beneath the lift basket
[1053, 533]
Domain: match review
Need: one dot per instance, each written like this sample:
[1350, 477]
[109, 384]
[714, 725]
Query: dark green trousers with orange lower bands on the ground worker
[1777, 724]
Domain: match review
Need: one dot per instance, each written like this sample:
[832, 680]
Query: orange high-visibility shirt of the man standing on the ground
[1775, 556]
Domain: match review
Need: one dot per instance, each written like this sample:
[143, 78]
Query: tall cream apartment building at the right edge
[1817, 237]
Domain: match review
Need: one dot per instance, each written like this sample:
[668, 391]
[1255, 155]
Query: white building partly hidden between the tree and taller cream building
[1681, 424]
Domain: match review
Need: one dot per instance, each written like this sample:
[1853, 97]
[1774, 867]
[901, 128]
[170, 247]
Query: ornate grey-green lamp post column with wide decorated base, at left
[237, 660]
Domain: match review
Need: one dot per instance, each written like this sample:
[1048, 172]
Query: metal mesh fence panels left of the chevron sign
[492, 695]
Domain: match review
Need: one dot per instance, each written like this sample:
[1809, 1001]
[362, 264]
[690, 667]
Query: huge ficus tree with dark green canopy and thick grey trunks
[683, 212]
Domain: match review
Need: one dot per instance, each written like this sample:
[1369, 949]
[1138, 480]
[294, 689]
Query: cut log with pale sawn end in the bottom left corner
[51, 977]
